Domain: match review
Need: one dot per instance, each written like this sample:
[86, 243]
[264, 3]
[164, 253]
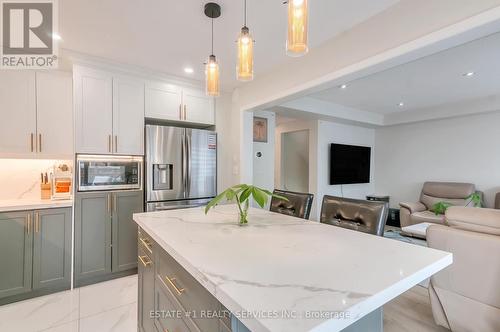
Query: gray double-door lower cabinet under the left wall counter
[35, 253]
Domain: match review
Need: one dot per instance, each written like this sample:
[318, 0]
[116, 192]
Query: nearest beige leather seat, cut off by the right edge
[466, 295]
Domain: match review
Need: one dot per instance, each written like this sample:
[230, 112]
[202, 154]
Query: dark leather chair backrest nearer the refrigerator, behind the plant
[298, 204]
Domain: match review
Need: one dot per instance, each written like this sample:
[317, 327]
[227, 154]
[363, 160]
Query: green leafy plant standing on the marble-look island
[241, 194]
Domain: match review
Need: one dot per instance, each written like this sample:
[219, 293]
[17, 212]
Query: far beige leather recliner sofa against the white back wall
[433, 192]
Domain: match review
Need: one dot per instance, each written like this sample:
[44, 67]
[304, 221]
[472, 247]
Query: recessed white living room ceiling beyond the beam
[432, 81]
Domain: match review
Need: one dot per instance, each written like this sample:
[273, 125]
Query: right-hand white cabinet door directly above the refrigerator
[199, 108]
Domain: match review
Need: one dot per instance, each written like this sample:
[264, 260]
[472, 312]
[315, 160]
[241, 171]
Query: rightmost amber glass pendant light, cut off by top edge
[297, 28]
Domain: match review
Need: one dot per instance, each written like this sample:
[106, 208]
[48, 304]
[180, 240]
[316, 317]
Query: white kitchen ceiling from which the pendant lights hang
[168, 35]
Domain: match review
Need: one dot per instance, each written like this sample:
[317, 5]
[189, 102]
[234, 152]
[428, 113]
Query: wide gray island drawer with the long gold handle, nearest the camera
[192, 296]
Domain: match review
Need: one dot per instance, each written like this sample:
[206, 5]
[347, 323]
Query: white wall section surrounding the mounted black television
[329, 132]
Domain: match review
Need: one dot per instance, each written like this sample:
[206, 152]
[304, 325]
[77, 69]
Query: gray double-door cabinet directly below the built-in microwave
[105, 235]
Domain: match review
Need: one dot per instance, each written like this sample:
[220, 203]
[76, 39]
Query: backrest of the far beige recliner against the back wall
[452, 192]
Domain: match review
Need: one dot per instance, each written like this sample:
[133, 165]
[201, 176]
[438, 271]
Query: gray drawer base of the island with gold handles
[170, 299]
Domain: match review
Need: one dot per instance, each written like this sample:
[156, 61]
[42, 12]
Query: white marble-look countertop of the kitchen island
[281, 273]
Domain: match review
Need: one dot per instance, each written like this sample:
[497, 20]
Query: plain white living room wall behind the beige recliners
[463, 149]
